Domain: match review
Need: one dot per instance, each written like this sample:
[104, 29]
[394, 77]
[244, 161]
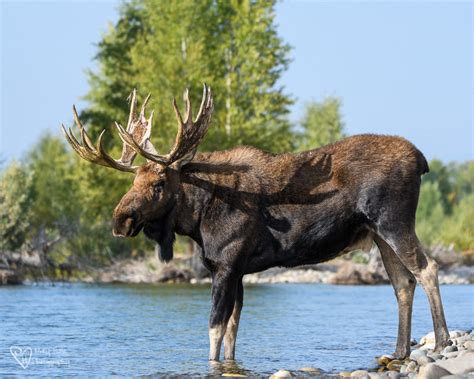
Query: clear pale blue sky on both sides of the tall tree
[400, 68]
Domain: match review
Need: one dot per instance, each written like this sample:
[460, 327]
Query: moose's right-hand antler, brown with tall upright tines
[190, 133]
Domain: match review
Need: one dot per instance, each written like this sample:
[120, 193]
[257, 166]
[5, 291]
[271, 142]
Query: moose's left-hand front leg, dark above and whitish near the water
[224, 289]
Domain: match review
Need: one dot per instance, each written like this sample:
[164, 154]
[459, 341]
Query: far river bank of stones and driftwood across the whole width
[360, 268]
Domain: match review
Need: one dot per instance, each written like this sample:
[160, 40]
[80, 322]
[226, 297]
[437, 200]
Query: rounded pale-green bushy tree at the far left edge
[16, 199]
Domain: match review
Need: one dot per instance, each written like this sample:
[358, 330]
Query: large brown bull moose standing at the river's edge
[250, 210]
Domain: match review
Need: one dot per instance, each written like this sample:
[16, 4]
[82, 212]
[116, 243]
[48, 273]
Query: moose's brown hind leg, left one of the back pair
[404, 284]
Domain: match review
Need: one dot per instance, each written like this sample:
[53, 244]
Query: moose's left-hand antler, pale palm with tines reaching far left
[139, 128]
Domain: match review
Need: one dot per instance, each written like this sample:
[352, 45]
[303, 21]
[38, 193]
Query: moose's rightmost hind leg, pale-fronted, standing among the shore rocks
[425, 269]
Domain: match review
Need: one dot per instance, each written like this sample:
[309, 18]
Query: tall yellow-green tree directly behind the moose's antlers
[162, 47]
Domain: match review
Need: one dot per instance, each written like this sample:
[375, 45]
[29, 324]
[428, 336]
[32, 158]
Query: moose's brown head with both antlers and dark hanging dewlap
[150, 200]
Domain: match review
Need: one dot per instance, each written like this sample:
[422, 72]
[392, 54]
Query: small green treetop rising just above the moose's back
[322, 124]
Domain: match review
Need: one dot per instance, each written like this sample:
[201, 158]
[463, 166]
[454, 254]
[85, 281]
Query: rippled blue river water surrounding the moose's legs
[136, 330]
